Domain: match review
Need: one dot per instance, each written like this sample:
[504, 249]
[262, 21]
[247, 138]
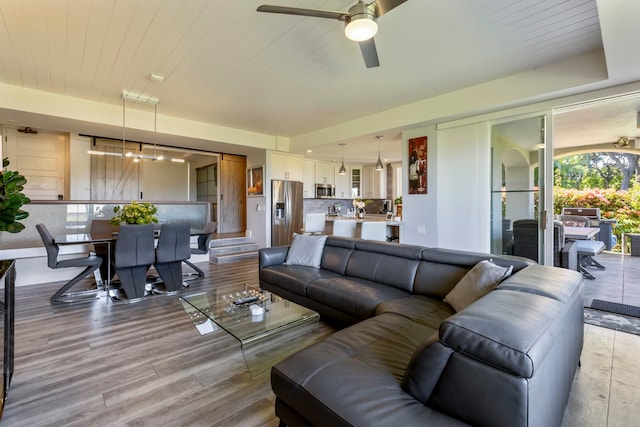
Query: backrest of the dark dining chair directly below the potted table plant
[135, 246]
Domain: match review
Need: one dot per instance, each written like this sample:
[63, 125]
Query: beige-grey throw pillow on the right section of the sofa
[478, 282]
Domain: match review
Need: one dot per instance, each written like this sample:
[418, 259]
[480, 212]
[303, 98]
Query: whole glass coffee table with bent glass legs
[265, 338]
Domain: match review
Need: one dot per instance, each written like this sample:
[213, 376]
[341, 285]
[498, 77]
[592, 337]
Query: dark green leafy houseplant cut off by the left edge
[12, 199]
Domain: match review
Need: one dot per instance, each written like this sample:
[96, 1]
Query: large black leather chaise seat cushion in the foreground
[354, 376]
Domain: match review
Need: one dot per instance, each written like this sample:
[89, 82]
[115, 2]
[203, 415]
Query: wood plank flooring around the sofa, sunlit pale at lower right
[145, 364]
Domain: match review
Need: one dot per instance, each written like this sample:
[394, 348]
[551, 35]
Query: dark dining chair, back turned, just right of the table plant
[173, 248]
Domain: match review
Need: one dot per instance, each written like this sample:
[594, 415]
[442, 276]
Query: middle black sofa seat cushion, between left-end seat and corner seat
[357, 297]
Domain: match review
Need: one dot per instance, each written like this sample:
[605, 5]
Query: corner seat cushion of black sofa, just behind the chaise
[418, 308]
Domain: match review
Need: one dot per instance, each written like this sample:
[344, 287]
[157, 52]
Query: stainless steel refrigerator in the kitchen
[286, 211]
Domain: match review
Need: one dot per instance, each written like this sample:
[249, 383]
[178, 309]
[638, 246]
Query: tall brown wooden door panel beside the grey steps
[233, 176]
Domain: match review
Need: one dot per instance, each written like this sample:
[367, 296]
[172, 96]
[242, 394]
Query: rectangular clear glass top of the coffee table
[223, 306]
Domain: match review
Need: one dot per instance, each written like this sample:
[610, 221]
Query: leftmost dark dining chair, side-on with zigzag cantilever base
[90, 263]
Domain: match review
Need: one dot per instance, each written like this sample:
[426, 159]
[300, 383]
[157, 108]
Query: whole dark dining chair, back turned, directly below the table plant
[134, 254]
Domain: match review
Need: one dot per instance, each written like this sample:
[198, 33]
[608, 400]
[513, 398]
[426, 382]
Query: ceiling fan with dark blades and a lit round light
[360, 22]
